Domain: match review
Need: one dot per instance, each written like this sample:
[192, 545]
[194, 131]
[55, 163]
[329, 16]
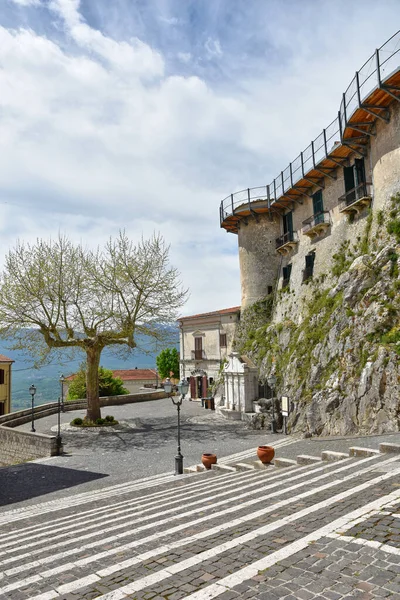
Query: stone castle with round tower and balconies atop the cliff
[288, 231]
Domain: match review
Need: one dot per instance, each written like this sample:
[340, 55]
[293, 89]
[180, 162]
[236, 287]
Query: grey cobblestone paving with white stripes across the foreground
[321, 531]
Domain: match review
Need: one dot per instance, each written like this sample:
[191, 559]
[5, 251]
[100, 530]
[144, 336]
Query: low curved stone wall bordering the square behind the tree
[19, 446]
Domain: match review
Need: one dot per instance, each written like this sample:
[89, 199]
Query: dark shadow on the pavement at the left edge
[22, 482]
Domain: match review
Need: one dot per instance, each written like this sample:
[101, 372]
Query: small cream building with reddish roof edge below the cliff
[205, 342]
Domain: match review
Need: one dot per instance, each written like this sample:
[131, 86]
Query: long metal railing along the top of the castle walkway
[375, 71]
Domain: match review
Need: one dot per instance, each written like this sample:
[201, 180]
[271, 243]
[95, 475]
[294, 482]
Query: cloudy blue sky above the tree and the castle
[144, 115]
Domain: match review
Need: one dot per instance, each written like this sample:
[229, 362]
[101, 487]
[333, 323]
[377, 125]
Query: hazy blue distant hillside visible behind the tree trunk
[46, 379]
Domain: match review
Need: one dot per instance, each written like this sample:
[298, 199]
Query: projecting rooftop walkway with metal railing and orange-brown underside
[375, 85]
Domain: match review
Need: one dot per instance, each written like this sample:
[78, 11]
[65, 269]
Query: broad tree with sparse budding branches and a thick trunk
[56, 295]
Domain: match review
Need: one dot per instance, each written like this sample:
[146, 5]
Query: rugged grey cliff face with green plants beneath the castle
[336, 353]
